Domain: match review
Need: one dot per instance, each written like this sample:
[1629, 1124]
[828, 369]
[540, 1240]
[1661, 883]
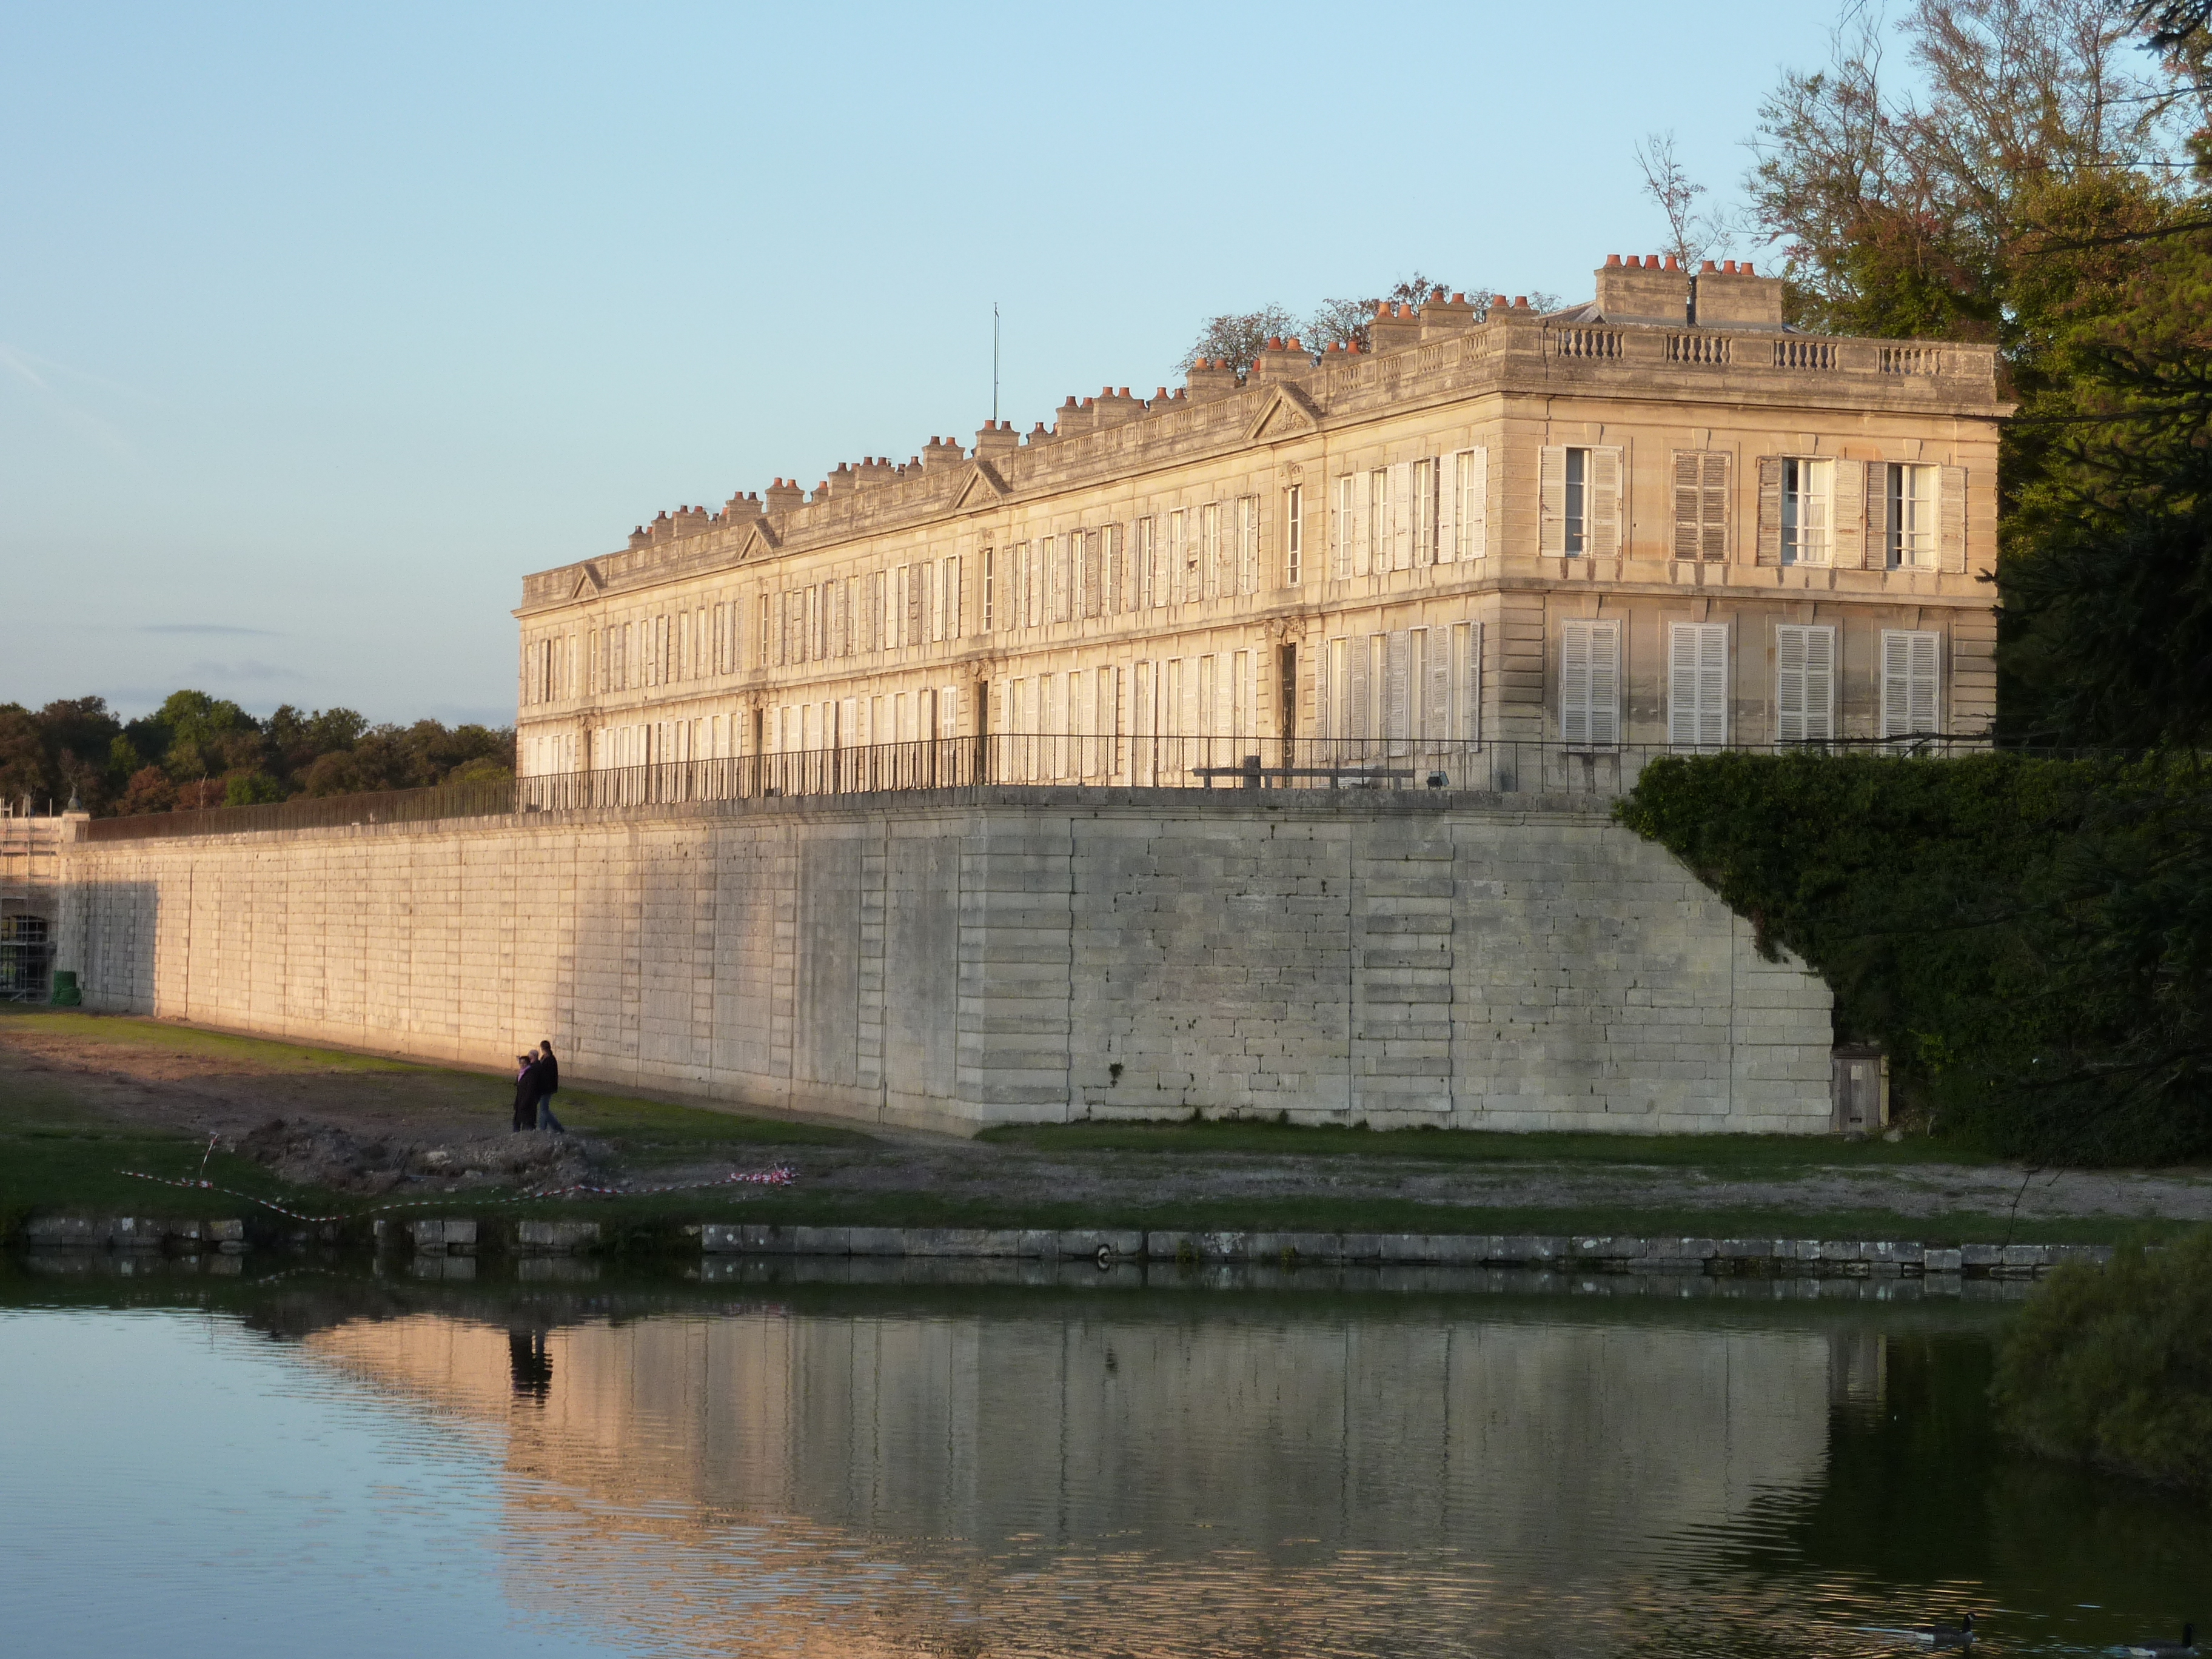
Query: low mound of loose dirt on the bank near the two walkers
[311, 1154]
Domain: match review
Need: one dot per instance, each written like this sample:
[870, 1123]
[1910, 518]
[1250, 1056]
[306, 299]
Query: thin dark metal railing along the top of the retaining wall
[1061, 760]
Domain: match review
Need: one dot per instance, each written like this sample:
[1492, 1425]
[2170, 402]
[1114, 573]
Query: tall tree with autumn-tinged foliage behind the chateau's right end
[2041, 194]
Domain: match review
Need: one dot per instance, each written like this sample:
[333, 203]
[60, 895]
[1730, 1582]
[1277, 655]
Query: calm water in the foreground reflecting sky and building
[344, 1465]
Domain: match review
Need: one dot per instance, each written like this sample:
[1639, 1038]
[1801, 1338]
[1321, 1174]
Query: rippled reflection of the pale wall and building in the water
[1227, 1468]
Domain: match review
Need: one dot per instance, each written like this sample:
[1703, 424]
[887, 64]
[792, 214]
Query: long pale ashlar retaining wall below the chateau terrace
[990, 957]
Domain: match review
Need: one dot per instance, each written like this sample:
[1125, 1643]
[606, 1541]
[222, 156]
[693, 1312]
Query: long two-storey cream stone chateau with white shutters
[1653, 519]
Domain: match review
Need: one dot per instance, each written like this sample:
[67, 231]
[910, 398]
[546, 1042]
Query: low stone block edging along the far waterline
[1583, 1253]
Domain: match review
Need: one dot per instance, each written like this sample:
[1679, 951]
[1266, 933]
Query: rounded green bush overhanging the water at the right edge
[2116, 1366]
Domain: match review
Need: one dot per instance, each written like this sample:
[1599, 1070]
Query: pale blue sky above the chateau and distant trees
[320, 326]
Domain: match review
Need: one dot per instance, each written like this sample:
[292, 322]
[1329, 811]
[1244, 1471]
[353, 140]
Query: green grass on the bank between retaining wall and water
[63, 1156]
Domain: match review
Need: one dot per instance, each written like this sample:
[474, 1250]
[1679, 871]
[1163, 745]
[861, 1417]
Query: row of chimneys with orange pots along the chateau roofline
[1392, 328]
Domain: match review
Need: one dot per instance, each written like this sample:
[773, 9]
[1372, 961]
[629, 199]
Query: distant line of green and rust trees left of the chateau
[200, 751]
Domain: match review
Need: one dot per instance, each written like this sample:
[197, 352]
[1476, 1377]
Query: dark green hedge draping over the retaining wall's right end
[2032, 941]
